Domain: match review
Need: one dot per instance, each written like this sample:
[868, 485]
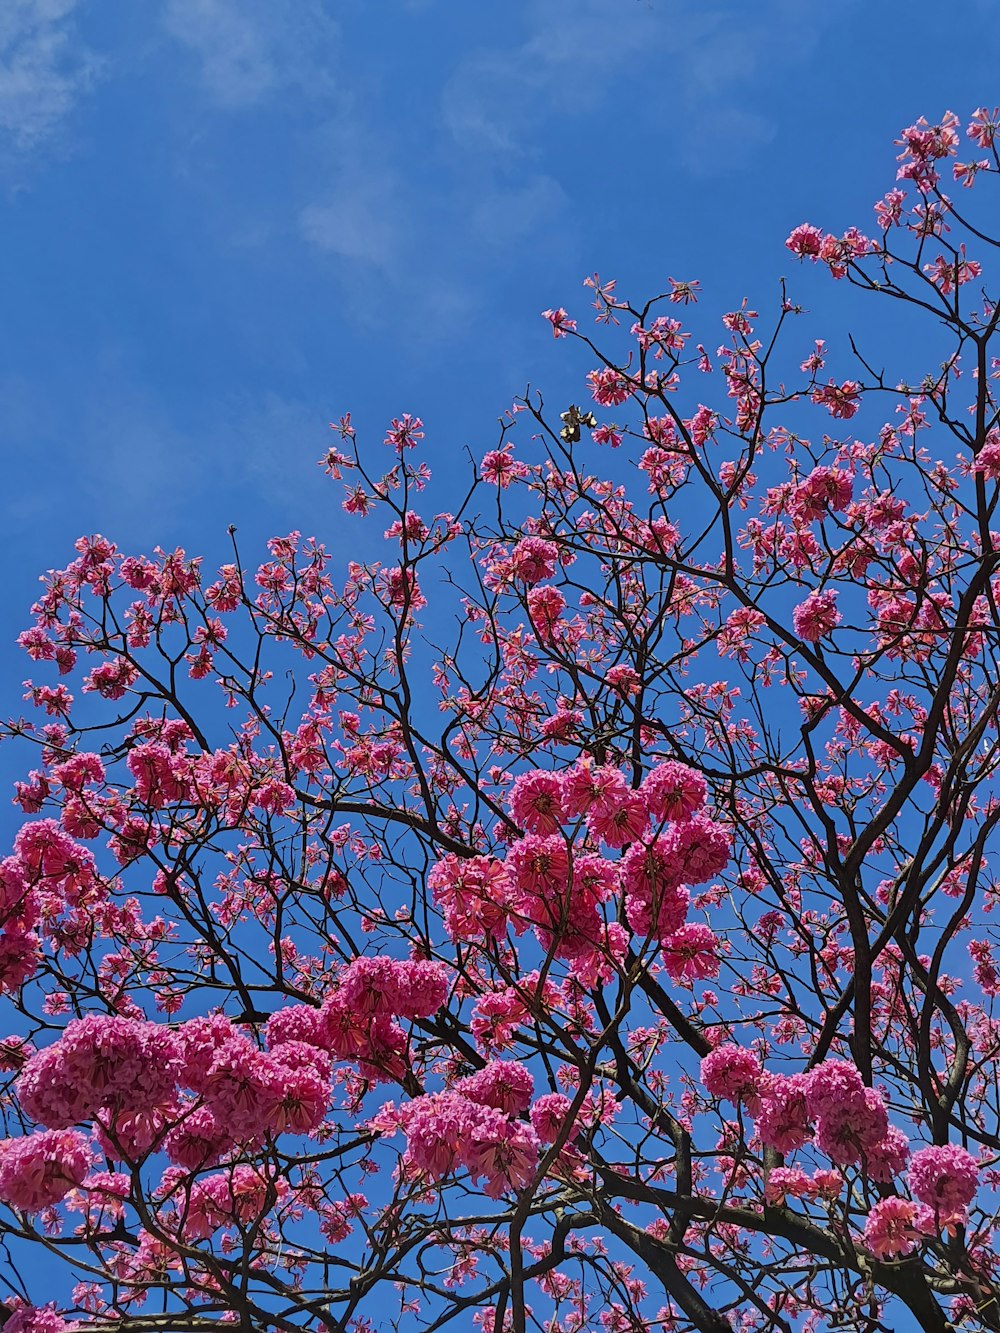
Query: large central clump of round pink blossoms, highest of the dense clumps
[558, 887]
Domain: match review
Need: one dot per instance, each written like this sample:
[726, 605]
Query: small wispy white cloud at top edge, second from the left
[249, 50]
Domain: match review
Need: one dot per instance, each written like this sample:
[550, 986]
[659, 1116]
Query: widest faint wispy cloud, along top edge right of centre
[702, 62]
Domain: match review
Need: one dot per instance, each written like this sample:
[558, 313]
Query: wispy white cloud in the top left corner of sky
[45, 70]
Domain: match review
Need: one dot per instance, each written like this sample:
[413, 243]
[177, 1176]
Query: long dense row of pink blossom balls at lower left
[129, 1075]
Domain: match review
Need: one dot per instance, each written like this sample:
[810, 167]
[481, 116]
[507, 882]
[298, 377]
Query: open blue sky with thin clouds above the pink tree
[227, 222]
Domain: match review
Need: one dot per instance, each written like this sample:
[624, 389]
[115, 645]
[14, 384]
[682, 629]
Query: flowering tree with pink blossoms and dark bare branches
[578, 920]
